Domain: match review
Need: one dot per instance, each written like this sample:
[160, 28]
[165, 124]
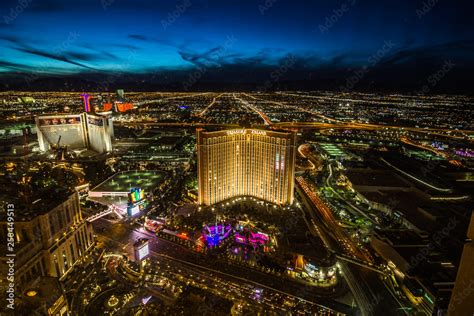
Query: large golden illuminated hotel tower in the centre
[246, 162]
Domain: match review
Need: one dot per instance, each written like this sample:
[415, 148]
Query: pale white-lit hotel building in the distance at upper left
[76, 131]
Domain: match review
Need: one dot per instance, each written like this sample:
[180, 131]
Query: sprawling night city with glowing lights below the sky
[374, 217]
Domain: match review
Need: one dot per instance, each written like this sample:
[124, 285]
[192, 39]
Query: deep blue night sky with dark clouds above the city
[272, 44]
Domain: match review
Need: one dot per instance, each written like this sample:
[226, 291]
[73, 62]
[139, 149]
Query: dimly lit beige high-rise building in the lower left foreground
[50, 237]
